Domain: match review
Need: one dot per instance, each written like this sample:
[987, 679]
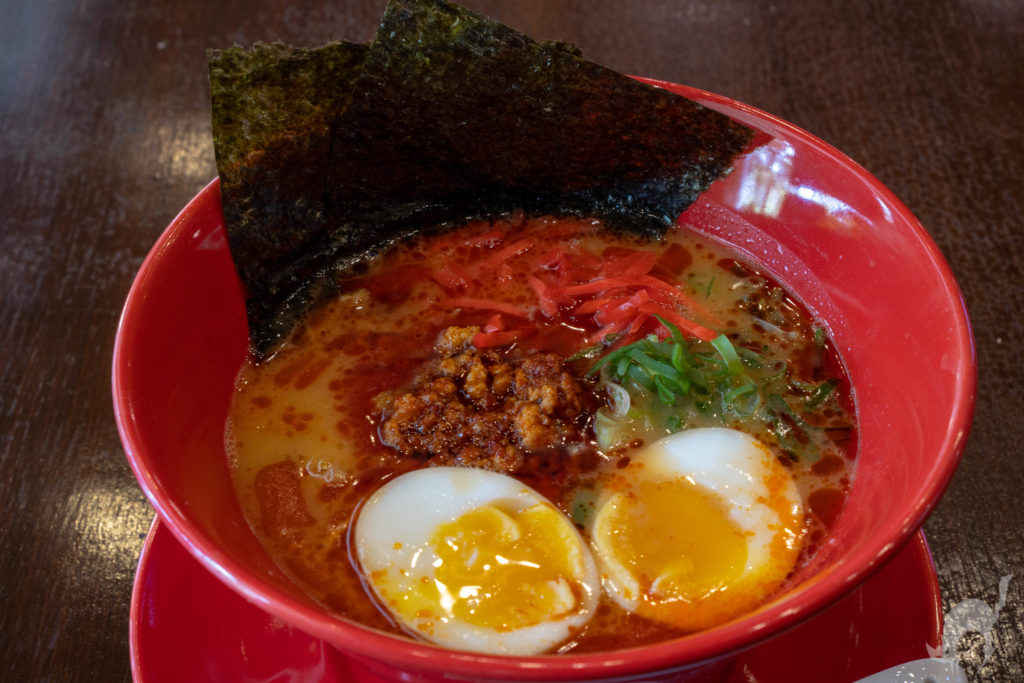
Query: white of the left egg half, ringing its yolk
[393, 537]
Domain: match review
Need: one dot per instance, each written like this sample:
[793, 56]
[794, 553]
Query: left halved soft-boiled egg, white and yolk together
[476, 561]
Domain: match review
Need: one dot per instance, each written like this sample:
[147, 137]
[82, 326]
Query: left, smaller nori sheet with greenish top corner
[273, 107]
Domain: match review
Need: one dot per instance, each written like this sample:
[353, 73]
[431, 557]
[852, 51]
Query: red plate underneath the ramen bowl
[188, 626]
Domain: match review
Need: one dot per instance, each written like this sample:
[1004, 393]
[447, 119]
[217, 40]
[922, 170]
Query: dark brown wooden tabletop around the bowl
[105, 136]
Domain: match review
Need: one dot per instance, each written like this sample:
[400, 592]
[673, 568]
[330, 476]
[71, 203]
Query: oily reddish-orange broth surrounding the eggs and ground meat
[305, 436]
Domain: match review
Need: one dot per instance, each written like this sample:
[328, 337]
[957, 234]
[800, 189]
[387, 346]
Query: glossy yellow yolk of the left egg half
[503, 570]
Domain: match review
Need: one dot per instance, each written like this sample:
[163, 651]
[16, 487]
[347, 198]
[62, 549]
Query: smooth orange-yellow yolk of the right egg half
[668, 560]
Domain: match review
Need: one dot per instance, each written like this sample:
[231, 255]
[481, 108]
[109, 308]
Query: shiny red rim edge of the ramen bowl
[702, 648]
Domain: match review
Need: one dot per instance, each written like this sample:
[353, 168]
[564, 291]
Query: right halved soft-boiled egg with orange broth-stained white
[700, 528]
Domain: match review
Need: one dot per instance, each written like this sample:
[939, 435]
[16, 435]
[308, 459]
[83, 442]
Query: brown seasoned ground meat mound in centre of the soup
[479, 408]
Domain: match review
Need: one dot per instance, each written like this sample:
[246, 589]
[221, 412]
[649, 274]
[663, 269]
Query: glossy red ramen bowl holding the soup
[839, 240]
